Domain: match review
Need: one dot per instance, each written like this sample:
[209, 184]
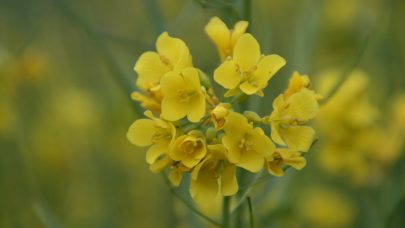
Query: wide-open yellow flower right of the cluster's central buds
[247, 146]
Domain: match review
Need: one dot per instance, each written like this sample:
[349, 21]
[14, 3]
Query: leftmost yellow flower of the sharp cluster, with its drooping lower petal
[155, 132]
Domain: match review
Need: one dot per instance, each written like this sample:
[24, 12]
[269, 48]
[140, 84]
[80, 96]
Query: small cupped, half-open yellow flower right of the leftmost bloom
[189, 149]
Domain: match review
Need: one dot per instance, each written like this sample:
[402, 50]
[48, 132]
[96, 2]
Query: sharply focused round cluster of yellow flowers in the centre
[188, 128]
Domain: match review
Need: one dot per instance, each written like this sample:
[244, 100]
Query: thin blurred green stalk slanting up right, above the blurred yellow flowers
[349, 70]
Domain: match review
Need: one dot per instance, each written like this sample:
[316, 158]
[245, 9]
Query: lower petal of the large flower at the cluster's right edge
[298, 137]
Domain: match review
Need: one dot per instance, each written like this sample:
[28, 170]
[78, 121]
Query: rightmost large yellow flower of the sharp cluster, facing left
[288, 116]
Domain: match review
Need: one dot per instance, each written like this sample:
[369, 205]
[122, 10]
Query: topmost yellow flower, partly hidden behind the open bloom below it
[223, 37]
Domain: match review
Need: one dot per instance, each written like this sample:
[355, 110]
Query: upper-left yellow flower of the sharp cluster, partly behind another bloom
[172, 55]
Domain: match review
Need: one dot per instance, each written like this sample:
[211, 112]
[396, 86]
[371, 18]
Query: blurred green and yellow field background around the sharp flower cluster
[66, 73]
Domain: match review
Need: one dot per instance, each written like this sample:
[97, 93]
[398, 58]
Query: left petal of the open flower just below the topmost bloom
[227, 75]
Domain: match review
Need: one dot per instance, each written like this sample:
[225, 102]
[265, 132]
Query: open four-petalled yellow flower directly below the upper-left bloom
[183, 96]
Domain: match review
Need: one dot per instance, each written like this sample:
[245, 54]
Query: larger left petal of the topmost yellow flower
[218, 32]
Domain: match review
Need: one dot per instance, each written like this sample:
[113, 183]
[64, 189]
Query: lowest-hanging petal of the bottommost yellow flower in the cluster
[205, 188]
